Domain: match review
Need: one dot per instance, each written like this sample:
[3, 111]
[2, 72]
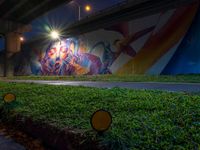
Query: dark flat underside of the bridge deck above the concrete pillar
[24, 11]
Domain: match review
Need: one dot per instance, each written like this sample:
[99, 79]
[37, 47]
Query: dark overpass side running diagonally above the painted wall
[128, 10]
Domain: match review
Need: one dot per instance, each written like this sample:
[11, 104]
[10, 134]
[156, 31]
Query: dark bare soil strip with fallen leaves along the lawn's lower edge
[36, 135]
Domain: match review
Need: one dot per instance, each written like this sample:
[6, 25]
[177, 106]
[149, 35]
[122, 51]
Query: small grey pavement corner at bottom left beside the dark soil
[9, 144]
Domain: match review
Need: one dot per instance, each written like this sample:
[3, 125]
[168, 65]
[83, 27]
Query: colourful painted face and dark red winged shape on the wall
[68, 57]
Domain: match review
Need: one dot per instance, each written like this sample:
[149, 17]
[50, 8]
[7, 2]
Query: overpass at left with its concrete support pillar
[15, 16]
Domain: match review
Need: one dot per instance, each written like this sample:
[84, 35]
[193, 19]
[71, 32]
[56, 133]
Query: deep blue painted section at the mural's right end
[186, 60]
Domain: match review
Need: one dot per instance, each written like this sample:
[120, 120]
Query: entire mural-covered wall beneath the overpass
[163, 43]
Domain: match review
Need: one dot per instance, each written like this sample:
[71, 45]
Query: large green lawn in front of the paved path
[141, 119]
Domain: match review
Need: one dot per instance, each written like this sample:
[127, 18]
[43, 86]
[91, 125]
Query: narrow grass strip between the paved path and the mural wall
[125, 78]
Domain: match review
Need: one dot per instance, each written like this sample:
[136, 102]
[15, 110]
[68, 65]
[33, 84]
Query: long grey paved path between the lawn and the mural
[175, 87]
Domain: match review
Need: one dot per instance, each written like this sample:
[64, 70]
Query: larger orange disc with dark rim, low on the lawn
[101, 120]
